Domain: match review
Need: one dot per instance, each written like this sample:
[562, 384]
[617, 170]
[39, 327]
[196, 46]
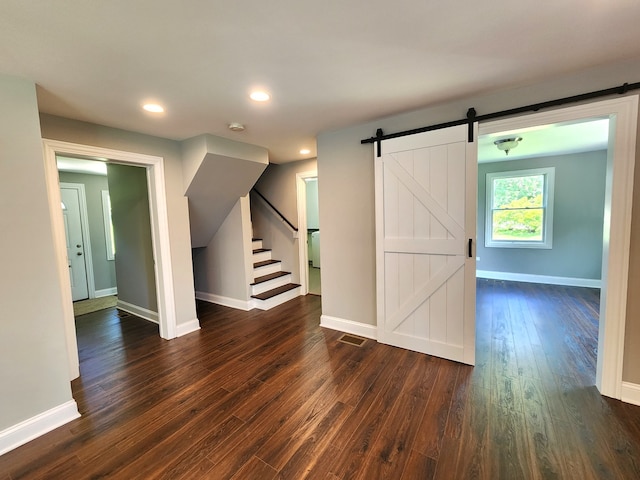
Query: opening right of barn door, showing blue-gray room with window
[540, 242]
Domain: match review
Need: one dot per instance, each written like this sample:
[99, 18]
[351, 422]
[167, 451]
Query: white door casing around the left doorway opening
[154, 171]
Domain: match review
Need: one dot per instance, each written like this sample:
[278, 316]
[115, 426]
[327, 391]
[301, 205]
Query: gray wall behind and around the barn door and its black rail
[346, 191]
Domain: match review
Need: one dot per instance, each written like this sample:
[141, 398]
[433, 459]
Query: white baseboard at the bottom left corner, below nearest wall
[34, 427]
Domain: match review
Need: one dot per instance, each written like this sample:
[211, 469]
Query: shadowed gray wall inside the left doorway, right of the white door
[132, 227]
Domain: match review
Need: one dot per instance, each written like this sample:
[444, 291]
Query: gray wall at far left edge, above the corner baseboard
[34, 369]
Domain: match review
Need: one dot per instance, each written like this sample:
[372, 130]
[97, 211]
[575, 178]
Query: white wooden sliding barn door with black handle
[425, 235]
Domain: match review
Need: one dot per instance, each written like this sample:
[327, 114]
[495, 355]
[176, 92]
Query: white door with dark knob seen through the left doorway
[75, 243]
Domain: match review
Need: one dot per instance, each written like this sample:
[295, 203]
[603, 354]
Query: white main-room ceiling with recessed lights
[327, 64]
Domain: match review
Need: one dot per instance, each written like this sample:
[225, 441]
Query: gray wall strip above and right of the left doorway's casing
[57, 128]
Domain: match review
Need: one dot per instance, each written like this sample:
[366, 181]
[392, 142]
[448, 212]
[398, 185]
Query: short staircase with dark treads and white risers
[271, 286]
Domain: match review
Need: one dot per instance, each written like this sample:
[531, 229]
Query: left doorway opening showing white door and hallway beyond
[96, 276]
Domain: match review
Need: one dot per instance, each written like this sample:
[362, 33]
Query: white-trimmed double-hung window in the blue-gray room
[519, 208]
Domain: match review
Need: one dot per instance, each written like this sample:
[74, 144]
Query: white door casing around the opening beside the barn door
[620, 159]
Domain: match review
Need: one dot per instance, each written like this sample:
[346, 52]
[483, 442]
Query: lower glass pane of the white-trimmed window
[518, 224]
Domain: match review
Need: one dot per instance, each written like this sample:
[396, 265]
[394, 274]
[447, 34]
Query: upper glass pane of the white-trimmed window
[518, 192]
